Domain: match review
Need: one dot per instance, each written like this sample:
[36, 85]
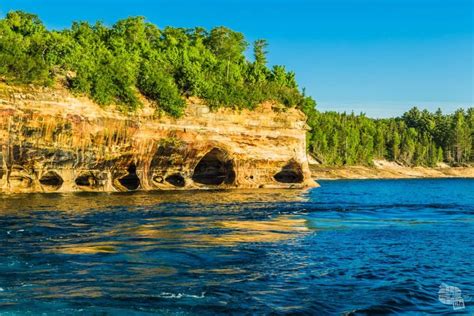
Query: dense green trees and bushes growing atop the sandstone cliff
[115, 64]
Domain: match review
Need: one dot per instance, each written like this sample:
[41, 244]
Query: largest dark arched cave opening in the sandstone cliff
[214, 169]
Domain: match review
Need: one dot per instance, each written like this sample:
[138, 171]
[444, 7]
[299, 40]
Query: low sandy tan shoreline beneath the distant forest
[388, 170]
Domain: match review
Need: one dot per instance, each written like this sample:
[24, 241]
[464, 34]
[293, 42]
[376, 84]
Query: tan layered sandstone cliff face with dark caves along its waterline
[52, 141]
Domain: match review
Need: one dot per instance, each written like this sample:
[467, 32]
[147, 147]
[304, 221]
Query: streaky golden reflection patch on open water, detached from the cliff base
[187, 232]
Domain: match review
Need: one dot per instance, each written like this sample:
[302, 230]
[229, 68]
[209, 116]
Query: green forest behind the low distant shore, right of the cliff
[418, 138]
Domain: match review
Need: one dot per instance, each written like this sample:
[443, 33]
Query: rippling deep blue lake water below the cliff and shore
[362, 247]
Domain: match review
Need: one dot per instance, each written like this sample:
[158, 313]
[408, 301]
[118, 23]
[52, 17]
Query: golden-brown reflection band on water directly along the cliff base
[137, 200]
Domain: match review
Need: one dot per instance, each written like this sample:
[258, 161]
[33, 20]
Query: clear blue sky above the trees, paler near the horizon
[375, 56]
